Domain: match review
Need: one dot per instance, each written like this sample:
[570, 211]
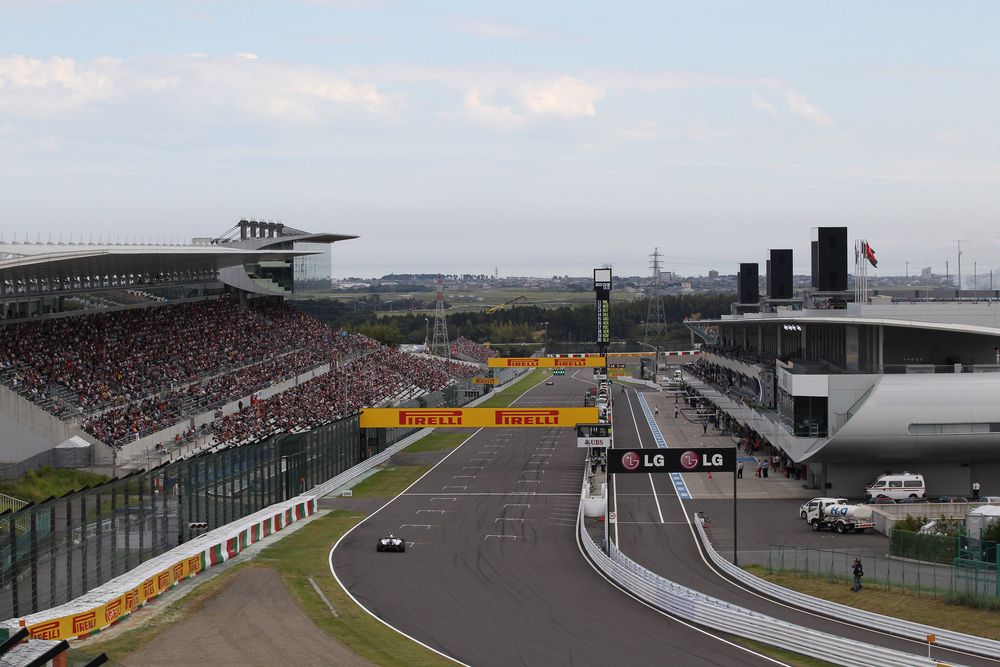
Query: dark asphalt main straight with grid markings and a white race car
[493, 574]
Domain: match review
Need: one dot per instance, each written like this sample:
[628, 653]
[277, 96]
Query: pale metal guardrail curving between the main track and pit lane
[710, 612]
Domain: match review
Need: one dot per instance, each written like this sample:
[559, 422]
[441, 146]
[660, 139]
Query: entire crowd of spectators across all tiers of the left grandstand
[127, 374]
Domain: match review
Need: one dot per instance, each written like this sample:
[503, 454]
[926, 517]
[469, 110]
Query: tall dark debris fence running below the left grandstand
[57, 550]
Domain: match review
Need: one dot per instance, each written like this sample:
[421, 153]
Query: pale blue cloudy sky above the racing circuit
[538, 137]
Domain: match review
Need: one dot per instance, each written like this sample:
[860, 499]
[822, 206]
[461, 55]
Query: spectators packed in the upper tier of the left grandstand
[93, 362]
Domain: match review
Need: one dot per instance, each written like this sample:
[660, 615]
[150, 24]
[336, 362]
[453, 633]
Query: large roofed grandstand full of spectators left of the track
[141, 347]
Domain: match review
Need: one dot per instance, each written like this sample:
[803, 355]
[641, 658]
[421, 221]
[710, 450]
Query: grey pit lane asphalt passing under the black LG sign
[656, 533]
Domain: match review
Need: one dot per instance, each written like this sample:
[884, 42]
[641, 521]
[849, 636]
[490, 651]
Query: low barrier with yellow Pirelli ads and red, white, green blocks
[108, 604]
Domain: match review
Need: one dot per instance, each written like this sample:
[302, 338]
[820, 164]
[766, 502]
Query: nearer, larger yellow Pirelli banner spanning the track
[477, 417]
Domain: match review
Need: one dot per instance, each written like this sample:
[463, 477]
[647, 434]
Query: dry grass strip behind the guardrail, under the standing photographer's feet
[899, 603]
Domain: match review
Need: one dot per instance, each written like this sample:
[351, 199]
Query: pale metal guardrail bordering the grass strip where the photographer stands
[888, 624]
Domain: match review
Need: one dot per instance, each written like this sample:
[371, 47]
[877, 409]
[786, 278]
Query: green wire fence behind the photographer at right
[975, 581]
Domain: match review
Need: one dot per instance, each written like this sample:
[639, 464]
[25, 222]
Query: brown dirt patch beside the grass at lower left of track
[253, 621]
